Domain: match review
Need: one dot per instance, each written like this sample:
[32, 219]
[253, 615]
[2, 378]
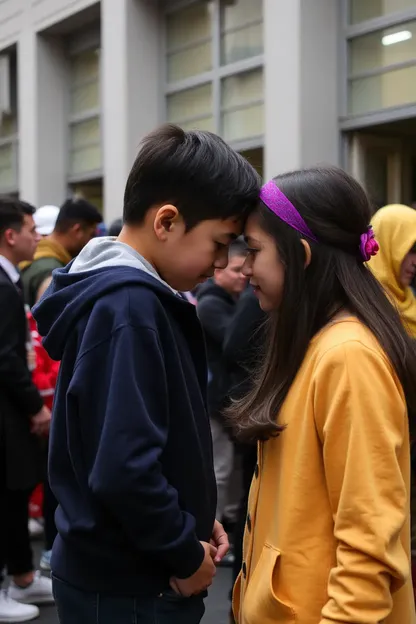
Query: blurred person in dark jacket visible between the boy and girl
[216, 301]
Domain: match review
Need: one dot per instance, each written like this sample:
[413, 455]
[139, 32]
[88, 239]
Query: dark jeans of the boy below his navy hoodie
[79, 607]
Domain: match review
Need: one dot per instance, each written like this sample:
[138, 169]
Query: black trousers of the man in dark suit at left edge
[15, 550]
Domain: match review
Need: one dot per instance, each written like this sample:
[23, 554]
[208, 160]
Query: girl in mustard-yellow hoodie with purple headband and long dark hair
[327, 535]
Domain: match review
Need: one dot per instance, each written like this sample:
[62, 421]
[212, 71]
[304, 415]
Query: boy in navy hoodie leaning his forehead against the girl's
[131, 458]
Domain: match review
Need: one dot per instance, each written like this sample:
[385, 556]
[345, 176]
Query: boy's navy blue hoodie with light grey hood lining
[130, 454]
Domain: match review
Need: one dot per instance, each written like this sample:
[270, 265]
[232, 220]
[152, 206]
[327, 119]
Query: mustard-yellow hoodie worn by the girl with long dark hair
[328, 534]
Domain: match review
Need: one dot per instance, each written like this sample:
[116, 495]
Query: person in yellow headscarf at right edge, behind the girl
[395, 265]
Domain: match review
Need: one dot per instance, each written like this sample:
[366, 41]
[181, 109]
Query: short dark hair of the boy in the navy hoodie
[195, 171]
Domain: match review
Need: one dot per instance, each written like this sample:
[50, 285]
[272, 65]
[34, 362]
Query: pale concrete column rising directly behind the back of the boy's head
[131, 93]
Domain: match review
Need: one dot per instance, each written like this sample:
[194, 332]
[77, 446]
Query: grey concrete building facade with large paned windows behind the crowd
[289, 83]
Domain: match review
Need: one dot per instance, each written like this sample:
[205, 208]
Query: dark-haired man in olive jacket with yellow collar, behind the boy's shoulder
[75, 226]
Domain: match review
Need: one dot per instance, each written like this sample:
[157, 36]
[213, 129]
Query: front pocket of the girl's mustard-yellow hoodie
[261, 604]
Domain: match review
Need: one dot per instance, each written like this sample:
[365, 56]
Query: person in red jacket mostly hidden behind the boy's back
[44, 375]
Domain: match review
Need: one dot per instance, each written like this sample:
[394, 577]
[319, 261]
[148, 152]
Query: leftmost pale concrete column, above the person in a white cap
[43, 125]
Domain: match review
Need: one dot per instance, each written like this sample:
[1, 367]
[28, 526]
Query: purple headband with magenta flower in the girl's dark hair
[278, 203]
